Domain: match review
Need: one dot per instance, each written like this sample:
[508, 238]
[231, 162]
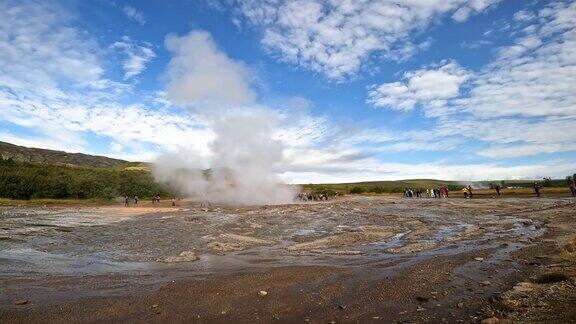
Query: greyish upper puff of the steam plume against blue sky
[200, 73]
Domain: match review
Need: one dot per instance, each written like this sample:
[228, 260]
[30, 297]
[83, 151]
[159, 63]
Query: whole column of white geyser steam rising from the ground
[244, 154]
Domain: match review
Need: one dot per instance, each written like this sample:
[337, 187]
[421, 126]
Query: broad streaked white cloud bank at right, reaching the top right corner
[521, 104]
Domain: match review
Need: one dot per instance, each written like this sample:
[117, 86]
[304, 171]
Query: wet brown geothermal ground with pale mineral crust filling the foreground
[351, 259]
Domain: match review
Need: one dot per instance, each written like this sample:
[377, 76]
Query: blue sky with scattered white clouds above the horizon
[359, 90]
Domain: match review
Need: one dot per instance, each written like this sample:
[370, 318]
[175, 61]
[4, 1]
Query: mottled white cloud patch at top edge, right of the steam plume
[336, 38]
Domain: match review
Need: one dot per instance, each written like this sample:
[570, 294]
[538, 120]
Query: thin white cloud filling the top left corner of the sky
[49, 46]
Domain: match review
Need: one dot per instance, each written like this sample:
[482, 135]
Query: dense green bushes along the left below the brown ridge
[26, 180]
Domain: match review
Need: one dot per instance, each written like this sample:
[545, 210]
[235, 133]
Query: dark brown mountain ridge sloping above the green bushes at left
[37, 155]
